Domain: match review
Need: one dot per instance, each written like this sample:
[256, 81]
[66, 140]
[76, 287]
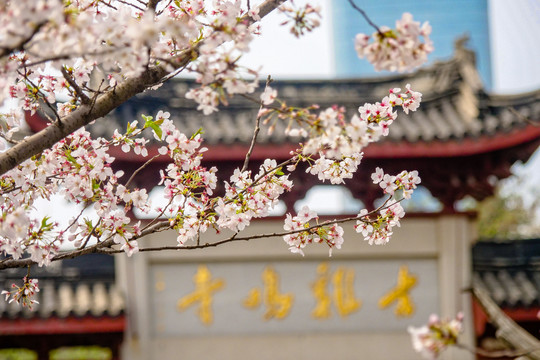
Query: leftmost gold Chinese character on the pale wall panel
[204, 287]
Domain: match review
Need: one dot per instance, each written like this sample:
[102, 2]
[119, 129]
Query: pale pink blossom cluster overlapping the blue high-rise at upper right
[400, 49]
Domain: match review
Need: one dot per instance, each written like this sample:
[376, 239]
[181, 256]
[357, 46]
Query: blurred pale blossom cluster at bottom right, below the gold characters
[431, 339]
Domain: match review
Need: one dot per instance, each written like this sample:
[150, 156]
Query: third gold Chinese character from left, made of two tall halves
[343, 295]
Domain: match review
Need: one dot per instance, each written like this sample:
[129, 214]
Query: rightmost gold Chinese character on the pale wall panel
[400, 294]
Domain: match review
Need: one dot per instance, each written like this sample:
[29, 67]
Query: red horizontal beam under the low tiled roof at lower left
[69, 325]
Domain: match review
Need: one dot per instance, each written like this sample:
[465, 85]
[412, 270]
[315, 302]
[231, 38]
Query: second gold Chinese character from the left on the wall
[277, 305]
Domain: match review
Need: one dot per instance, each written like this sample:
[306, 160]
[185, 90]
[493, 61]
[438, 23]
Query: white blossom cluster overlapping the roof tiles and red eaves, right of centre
[336, 143]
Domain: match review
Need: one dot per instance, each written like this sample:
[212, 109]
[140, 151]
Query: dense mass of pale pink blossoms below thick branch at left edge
[79, 168]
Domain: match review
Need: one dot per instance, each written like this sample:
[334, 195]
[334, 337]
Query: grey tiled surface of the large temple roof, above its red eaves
[454, 107]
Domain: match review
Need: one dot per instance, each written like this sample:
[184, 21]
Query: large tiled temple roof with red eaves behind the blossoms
[461, 136]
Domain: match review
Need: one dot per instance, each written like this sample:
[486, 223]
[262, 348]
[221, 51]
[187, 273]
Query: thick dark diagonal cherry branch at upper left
[107, 102]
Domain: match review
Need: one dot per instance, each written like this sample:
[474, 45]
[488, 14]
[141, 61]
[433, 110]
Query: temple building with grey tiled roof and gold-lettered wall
[255, 299]
